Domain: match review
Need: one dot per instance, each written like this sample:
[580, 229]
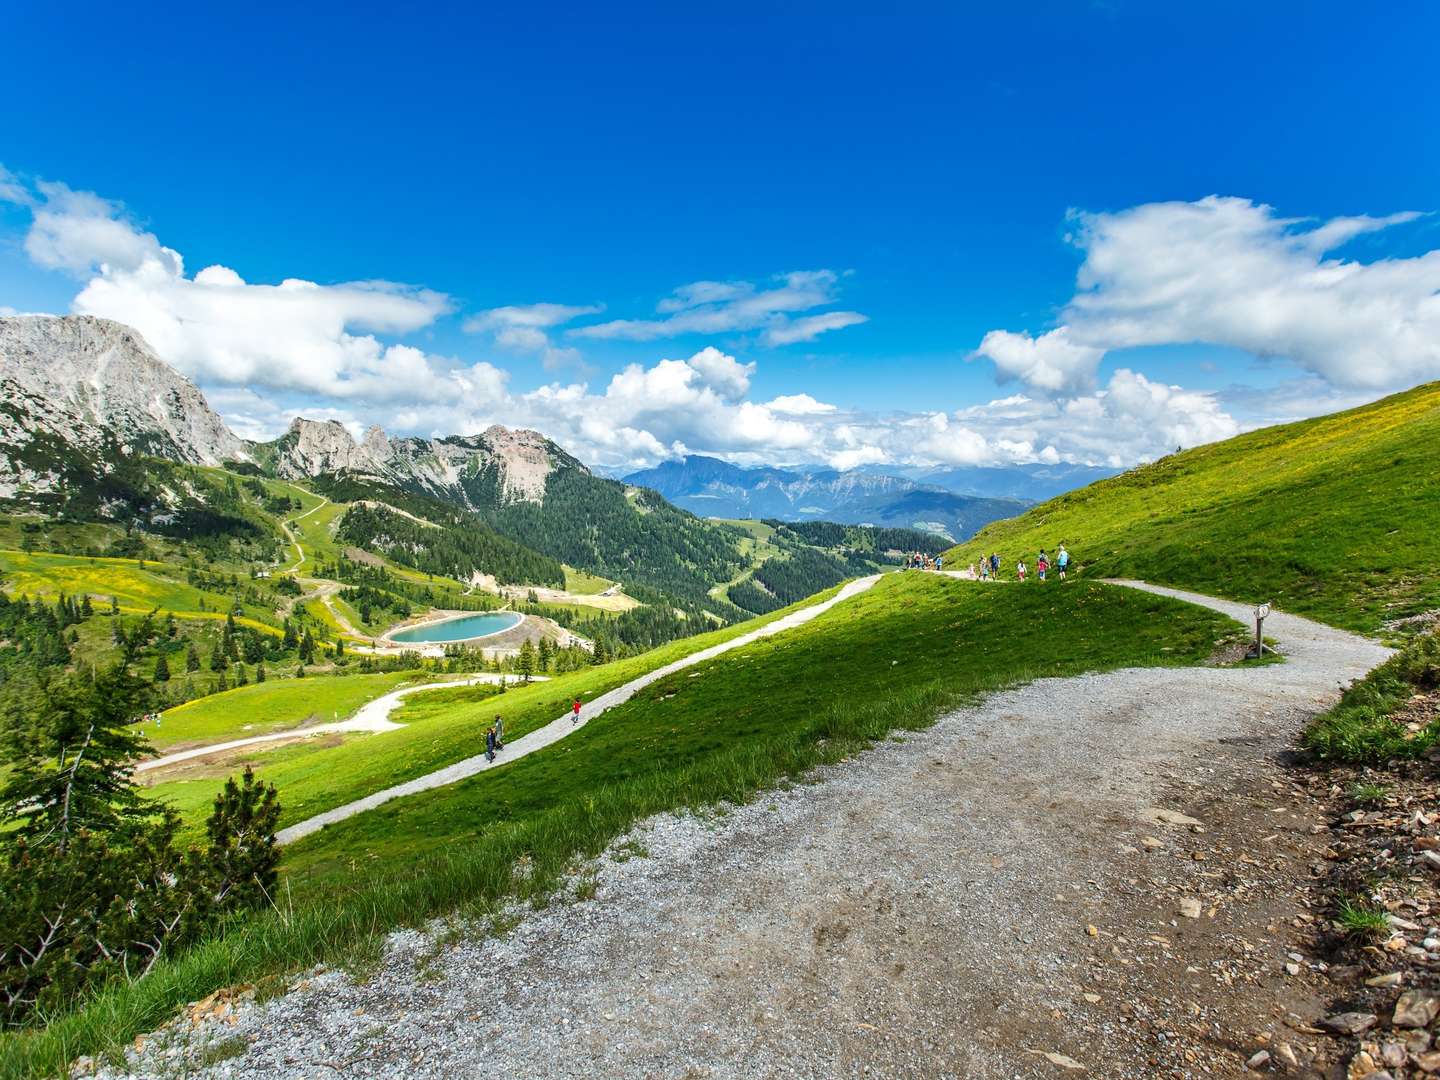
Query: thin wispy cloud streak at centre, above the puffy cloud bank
[718, 307]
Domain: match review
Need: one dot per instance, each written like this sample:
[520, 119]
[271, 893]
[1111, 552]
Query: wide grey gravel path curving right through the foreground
[919, 911]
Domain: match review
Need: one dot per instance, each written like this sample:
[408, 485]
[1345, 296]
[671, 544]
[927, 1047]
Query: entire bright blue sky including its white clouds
[924, 174]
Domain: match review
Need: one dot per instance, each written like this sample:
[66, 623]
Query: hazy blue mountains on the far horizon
[716, 489]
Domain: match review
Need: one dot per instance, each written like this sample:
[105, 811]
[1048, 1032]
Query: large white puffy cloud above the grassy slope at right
[1233, 273]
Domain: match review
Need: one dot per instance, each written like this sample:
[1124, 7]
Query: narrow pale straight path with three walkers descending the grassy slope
[559, 729]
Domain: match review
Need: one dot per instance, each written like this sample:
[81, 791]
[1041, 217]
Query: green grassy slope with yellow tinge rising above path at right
[1334, 518]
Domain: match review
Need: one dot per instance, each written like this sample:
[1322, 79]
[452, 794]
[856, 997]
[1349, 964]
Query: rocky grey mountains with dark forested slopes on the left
[94, 427]
